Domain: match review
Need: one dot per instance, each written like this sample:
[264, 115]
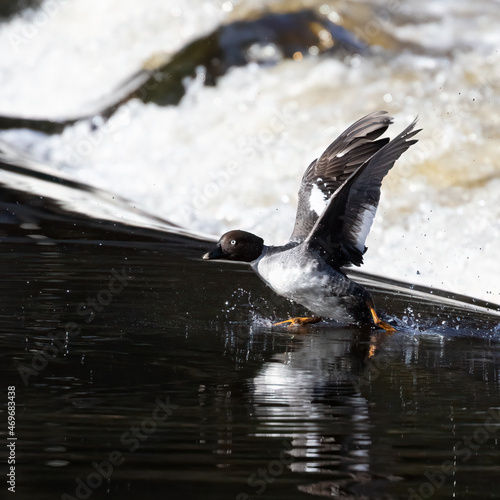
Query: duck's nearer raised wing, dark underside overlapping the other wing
[340, 233]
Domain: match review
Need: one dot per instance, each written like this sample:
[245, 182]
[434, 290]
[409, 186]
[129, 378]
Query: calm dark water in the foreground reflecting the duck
[142, 371]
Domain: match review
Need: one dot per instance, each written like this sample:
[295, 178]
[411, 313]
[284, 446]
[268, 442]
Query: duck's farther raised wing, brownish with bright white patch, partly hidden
[326, 174]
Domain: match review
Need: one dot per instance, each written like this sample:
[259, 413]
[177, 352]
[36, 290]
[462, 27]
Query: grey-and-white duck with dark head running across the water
[309, 269]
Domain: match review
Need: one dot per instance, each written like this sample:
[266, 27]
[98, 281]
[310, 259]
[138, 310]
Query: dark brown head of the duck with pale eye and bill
[237, 245]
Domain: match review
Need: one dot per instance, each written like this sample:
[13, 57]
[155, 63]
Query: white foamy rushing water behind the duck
[232, 156]
